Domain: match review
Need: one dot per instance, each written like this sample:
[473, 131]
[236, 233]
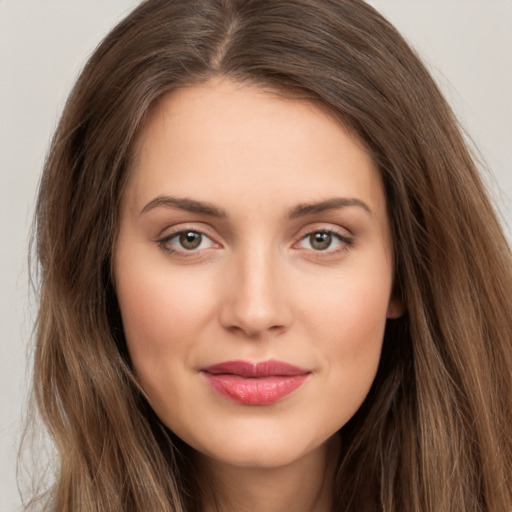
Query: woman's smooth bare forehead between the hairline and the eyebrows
[222, 138]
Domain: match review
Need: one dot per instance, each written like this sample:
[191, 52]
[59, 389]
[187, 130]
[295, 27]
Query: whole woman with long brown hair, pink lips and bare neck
[270, 276]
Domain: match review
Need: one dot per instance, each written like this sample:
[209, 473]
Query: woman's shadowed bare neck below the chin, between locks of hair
[305, 485]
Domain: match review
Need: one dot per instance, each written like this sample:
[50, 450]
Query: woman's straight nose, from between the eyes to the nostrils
[255, 295]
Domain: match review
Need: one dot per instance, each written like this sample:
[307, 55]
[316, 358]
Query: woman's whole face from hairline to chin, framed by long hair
[254, 270]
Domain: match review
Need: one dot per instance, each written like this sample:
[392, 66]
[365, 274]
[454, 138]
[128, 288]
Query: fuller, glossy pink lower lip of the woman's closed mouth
[255, 390]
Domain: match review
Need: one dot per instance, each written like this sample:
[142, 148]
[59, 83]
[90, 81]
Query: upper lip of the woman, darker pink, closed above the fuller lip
[270, 368]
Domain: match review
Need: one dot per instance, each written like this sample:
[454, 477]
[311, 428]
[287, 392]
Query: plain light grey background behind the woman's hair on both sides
[467, 44]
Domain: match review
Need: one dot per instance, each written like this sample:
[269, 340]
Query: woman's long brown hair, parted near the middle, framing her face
[435, 432]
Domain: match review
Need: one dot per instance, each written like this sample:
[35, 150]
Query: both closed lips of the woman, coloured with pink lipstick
[261, 383]
